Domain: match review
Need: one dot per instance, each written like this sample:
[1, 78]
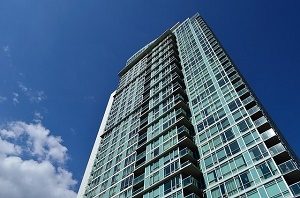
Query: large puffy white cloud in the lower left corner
[32, 163]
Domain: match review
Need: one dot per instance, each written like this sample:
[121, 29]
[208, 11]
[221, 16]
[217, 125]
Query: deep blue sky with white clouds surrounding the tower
[59, 61]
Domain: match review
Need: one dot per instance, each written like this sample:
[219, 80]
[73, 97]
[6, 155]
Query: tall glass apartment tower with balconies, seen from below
[183, 122]
